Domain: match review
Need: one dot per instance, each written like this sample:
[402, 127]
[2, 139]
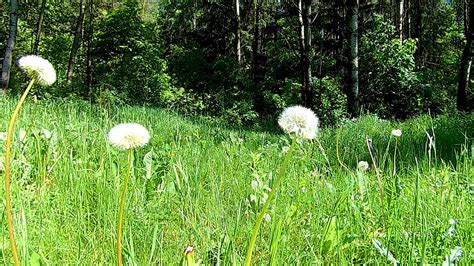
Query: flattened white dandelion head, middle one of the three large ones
[129, 135]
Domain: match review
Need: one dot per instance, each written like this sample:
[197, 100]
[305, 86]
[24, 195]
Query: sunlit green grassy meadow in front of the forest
[200, 183]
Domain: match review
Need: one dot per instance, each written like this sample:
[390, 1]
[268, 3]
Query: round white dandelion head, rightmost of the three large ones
[300, 121]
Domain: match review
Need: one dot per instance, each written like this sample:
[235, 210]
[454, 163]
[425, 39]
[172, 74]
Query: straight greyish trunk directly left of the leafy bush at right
[353, 93]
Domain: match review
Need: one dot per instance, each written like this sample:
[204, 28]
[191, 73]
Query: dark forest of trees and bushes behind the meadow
[244, 61]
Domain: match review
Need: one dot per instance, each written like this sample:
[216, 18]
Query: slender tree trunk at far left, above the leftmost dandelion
[7, 61]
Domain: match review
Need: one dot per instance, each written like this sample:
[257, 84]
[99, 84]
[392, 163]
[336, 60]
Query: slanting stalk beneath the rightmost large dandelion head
[281, 173]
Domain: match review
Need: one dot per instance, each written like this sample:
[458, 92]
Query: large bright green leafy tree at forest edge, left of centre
[127, 54]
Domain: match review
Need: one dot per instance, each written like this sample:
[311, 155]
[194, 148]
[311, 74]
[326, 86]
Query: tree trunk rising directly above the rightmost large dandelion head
[304, 12]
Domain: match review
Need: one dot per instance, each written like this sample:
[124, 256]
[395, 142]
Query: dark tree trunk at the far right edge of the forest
[466, 60]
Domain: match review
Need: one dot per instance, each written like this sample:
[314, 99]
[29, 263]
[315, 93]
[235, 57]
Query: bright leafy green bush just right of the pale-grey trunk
[388, 80]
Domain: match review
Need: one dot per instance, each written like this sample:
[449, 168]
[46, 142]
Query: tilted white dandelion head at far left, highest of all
[38, 68]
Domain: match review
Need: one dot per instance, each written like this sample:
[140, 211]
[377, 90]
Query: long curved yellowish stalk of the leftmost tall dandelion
[8, 155]
